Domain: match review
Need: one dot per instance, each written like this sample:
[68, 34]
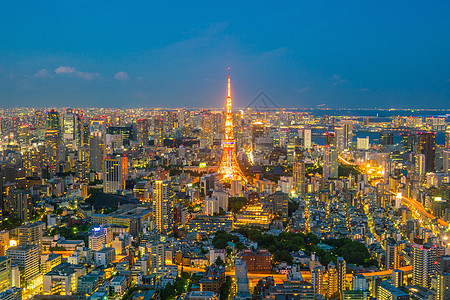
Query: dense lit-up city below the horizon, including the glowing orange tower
[253, 203]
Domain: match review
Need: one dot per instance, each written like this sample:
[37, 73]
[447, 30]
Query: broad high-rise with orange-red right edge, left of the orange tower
[115, 173]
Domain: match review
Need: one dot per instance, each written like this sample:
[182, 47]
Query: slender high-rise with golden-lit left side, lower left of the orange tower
[163, 201]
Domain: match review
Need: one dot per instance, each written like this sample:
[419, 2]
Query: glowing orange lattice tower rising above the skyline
[229, 167]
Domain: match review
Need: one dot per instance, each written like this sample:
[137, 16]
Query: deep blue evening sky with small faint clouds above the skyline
[176, 53]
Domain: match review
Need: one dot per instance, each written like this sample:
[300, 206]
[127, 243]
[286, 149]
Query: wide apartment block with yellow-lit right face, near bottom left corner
[27, 259]
